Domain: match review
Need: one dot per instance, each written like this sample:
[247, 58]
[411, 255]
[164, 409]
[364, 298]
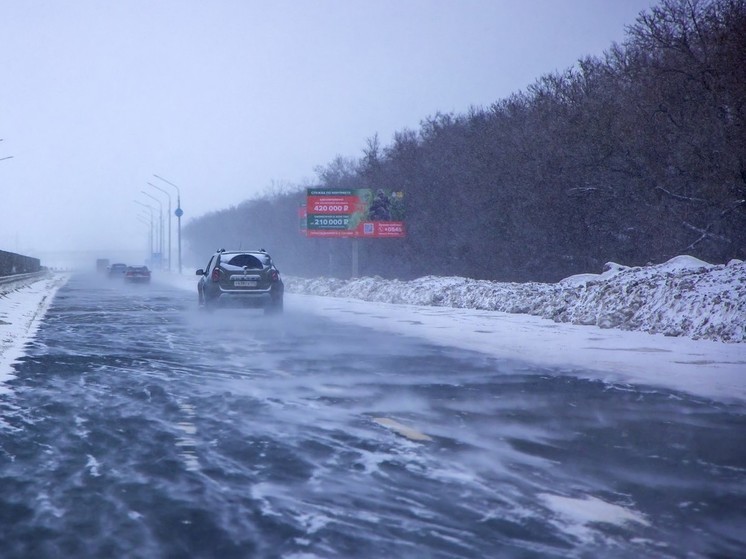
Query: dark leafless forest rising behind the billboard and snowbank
[633, 157]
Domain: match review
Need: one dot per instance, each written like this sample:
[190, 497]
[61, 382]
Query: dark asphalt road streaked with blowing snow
[138, 426]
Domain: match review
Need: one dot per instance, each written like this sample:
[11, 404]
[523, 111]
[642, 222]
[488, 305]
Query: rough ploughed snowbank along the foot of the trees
[682, 297]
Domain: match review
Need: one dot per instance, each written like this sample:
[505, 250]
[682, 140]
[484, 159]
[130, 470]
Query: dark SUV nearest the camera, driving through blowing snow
[245, 277]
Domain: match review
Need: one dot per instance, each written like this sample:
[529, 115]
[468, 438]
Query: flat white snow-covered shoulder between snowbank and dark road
[707, 368]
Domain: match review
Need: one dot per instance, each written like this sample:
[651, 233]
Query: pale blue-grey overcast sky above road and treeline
[226, 98]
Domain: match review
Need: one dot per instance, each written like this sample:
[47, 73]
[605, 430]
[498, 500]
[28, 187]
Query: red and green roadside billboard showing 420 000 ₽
[355, 213]
